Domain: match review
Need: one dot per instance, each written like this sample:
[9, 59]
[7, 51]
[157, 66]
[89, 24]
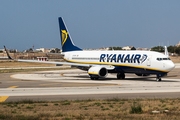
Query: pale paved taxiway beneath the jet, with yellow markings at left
[75, 84]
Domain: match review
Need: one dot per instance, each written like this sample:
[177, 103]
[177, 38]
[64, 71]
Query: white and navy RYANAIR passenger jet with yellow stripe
[99, 63]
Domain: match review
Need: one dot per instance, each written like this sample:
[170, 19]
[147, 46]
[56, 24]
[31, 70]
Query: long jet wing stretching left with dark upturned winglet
[108, 67]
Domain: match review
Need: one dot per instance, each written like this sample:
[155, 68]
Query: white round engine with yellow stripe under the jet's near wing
[97, 71]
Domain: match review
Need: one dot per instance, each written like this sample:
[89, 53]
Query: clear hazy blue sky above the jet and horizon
[91, 23]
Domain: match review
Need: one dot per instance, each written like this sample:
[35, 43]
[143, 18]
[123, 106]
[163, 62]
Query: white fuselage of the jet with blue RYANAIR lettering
[132, 59]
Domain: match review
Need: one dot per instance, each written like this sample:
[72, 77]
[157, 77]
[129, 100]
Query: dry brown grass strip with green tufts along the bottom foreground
[127, 109]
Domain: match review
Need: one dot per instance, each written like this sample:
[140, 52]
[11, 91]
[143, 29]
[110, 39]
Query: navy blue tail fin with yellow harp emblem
[66, 41]
